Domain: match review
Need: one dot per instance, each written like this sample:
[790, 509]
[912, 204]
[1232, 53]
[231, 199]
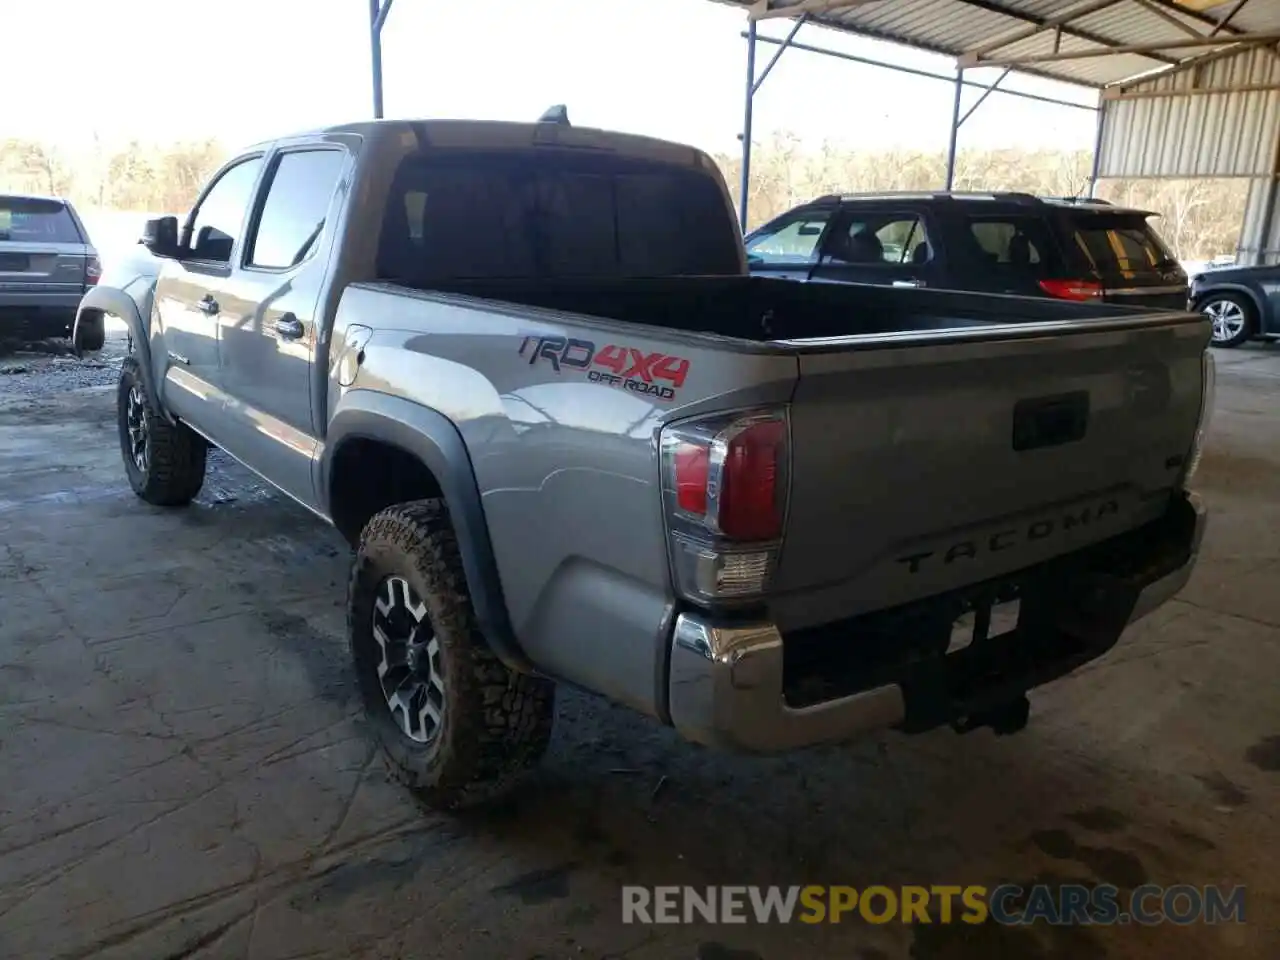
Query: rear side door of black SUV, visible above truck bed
[880, 246]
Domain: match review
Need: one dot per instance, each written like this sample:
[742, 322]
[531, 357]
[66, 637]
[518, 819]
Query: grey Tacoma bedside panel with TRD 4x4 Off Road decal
[566, 463]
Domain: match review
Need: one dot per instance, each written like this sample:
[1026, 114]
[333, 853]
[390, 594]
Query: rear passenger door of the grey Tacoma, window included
[269, 317]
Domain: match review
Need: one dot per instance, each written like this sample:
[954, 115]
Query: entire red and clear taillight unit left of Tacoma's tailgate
[725, 492]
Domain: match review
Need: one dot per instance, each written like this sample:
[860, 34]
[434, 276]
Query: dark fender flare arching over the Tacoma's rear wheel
[436, 442]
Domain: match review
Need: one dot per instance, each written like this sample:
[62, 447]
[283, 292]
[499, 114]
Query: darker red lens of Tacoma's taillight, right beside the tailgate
[749, 504]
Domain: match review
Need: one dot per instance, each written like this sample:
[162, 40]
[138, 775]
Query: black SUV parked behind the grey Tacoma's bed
[988, 243]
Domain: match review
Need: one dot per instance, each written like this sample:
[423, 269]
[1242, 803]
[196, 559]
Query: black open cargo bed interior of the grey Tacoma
[764, 309]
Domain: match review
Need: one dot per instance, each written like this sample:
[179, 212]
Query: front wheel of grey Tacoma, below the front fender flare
[164, 461]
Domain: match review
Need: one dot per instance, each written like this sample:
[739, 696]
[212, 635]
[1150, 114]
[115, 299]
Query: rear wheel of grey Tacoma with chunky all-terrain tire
[454, 723]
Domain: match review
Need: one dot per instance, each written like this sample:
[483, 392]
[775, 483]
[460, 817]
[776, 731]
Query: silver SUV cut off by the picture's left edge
[47, 266]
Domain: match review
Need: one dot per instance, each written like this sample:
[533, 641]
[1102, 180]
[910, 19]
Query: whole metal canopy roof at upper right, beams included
[1092, 43]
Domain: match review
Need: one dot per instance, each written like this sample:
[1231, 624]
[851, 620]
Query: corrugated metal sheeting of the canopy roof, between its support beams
[954, 28]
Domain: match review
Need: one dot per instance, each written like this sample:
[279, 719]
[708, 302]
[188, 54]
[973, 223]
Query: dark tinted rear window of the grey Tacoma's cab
[543, 214]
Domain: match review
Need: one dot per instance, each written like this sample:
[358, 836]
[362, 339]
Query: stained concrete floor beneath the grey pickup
[184, 771]
